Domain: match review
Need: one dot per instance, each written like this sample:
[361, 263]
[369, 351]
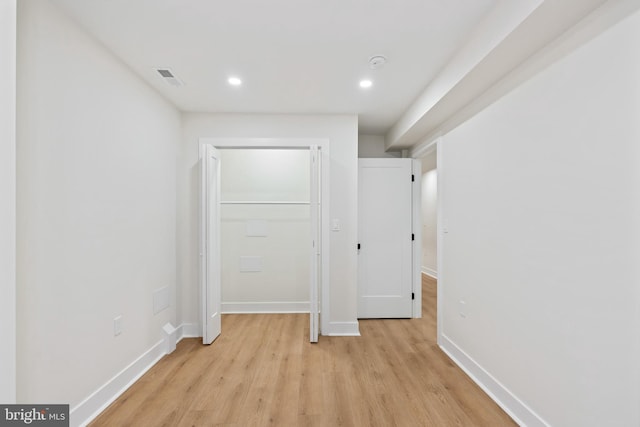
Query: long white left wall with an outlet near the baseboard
[96, 226]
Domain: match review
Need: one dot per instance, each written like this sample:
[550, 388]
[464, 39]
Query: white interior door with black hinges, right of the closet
[385, 238]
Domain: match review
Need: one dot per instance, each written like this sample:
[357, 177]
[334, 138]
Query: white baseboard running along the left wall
[84, 412]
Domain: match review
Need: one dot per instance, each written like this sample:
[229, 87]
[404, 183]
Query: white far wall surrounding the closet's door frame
[341, 130]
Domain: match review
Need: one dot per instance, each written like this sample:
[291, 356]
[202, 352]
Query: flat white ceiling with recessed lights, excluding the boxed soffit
[294, 56]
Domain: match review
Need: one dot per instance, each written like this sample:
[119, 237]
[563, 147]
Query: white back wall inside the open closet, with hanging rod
[278, 234]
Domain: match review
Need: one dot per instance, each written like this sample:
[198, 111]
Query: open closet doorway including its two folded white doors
[264, 237]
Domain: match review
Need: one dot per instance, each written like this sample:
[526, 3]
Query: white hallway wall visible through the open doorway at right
[429, 212]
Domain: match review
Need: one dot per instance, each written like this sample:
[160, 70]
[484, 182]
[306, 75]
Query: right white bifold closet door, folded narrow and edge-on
[315, 264]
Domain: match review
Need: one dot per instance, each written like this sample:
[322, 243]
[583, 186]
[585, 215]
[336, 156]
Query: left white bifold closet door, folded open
[210, 279]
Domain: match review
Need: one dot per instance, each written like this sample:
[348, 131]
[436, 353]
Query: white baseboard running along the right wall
[518, 410]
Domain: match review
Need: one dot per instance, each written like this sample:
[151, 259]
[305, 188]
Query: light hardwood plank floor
[262, 371]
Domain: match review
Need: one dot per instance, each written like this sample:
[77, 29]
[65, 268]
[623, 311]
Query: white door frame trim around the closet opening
[295, 143]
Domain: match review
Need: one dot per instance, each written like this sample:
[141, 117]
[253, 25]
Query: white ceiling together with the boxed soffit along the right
[445, 57]
